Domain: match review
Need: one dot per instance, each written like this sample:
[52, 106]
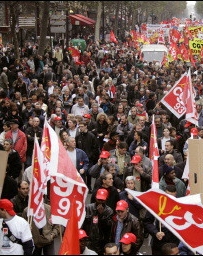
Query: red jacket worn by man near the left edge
[20, 144]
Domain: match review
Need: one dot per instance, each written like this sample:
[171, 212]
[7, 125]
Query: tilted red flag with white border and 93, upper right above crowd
[174, 100]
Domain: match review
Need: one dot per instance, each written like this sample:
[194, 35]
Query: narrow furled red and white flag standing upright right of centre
[154, 155]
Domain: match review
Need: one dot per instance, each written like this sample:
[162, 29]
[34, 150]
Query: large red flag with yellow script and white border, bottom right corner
[182, 216]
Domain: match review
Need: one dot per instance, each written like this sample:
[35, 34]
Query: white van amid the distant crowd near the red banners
[152, 52]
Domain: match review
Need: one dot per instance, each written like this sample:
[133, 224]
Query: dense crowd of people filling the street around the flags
[101, 109]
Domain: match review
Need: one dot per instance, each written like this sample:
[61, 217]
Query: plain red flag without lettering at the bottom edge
[70, 244]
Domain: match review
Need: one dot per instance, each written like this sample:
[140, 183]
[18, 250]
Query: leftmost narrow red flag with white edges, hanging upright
[37, 188]
